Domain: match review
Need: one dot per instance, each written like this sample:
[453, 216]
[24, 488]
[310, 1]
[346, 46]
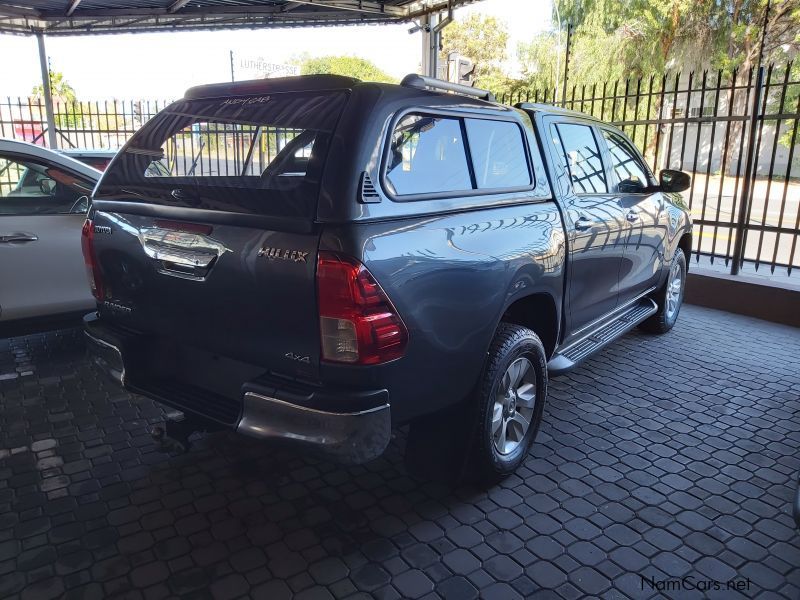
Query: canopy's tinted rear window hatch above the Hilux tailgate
[253, 154]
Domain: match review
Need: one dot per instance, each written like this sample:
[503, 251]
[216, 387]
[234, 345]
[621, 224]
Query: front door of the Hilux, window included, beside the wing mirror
[645, 217]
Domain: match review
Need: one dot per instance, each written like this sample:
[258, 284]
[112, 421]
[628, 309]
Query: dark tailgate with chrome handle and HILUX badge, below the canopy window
[236, 291]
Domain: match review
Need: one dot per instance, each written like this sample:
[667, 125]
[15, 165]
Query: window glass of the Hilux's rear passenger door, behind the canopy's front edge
[582, 156]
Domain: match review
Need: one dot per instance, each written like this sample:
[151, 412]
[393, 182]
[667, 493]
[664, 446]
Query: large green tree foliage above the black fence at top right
[640, 37]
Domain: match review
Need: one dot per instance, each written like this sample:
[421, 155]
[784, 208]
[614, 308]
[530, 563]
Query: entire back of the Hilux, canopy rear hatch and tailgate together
[204, 228]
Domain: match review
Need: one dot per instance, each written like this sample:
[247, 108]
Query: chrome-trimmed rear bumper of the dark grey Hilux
[270, 413]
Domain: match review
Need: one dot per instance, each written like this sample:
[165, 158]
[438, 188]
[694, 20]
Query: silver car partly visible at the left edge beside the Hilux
[44, 197]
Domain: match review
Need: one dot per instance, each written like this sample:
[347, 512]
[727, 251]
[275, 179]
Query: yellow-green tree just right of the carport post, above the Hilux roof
[483, 39]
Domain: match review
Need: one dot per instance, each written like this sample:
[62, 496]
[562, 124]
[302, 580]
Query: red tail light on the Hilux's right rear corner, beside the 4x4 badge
[358, 323]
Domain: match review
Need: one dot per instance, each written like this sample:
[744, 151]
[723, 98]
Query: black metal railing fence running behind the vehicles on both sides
[736, 133]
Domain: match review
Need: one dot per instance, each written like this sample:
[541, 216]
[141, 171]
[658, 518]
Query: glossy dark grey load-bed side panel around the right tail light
[451, 277]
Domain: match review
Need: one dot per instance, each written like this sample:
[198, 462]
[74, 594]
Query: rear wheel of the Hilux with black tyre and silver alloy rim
[510, 399]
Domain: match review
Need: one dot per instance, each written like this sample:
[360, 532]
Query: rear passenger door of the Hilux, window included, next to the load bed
[594, 220]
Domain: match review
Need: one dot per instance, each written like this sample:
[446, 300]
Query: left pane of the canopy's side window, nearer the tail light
[427, 156]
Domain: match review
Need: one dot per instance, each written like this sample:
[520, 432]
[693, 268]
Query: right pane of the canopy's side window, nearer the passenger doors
[498, 154]
